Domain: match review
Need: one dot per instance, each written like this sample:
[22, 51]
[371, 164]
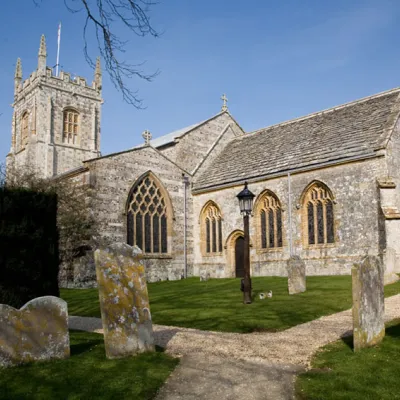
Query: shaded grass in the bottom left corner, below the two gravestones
[87, 374]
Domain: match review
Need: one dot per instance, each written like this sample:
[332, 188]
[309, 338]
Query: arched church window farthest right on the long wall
[318, 215]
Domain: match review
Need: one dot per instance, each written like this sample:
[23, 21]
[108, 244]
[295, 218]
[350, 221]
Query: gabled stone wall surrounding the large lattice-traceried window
[113, 177]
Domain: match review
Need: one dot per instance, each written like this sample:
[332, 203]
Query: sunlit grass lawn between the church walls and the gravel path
[217, 304]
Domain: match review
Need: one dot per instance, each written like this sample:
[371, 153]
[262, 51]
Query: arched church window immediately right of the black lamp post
[269, 221]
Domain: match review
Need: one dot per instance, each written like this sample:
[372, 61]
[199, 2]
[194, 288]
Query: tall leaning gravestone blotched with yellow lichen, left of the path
[124, 301]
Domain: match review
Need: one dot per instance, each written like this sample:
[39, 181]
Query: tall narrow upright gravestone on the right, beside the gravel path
[368, 303]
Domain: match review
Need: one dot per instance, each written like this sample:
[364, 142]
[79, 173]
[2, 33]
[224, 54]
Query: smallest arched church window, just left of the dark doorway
[211, 225]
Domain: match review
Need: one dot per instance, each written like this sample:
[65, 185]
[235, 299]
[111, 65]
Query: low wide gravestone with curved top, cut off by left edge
[36, 332]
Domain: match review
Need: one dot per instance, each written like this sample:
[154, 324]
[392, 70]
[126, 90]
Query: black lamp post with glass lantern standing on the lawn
[246, 206]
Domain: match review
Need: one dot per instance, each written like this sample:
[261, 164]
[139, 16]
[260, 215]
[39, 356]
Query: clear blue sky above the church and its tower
[274, 60]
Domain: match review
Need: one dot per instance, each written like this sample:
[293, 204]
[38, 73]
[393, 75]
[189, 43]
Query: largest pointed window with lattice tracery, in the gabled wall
[147, 217]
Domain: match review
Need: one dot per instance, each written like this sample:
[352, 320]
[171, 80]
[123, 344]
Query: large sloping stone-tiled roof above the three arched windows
[352, 130]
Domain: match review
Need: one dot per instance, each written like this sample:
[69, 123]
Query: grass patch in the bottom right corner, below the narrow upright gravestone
[339, 373]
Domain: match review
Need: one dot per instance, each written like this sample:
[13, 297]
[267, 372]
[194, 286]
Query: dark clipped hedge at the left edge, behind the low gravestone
[29, 259]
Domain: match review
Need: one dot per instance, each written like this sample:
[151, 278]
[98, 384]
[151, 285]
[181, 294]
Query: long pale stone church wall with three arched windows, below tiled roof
[356, 214]
